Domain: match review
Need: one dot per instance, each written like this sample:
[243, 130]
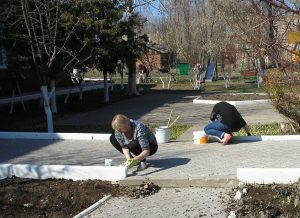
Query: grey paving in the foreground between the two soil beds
[184, 202]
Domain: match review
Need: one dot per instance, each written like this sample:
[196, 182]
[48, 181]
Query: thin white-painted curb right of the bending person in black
[263, 138]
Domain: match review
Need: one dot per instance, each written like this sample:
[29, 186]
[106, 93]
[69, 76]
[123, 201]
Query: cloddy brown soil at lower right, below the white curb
[267, 201]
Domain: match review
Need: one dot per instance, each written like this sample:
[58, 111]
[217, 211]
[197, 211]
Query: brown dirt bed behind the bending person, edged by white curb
[233, 97]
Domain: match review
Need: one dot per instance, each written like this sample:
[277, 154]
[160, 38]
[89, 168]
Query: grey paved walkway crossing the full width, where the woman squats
[180, 161]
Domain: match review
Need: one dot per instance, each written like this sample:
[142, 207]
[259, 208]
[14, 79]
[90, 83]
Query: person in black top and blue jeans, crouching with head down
[225, 120]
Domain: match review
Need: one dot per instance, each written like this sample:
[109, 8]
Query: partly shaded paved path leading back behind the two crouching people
[155, 109]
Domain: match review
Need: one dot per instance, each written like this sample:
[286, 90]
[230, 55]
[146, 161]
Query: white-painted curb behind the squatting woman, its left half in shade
[54, 136]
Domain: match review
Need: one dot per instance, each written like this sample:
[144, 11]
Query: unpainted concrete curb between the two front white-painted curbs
[208, 181]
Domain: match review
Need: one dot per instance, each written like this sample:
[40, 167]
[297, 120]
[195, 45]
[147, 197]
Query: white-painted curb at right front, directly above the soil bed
[268, 175]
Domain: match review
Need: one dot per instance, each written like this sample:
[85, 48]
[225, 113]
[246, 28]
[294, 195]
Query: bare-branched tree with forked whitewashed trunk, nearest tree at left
[39, 24]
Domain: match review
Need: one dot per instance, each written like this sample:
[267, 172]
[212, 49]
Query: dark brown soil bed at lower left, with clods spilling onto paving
[59, 197]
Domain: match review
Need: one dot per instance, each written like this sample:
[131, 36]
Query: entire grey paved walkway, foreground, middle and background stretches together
[177, 164]
